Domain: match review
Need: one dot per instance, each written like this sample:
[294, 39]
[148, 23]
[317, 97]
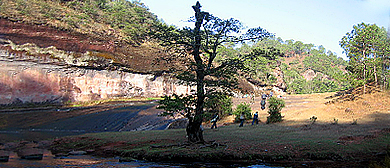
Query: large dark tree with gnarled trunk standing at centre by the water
[199, 47]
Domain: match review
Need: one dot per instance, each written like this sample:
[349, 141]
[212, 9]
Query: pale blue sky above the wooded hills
[320, 22]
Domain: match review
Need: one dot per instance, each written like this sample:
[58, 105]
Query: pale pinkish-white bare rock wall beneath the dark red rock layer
[28, 79]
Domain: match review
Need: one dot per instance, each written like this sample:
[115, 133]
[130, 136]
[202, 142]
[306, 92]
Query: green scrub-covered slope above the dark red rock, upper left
[122, 21]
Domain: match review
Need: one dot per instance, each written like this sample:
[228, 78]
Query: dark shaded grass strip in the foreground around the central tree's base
[276, 143]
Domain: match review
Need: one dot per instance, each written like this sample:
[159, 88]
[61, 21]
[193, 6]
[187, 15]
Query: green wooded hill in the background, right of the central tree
[292, 66]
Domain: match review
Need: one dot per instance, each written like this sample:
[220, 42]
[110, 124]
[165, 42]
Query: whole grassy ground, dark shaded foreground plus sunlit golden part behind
[339, 137]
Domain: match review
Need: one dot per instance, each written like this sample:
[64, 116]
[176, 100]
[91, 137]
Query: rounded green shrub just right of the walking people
[274, 108]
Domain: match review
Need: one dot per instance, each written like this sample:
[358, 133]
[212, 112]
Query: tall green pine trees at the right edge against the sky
[366, 47]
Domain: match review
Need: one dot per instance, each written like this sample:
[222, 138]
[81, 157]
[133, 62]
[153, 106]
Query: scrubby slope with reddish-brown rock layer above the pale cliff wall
[81, 30]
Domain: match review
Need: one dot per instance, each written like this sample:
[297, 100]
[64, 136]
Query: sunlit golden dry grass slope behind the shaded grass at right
[372, 107]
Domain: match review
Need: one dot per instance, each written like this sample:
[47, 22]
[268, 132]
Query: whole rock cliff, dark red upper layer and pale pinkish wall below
[43, 64]
